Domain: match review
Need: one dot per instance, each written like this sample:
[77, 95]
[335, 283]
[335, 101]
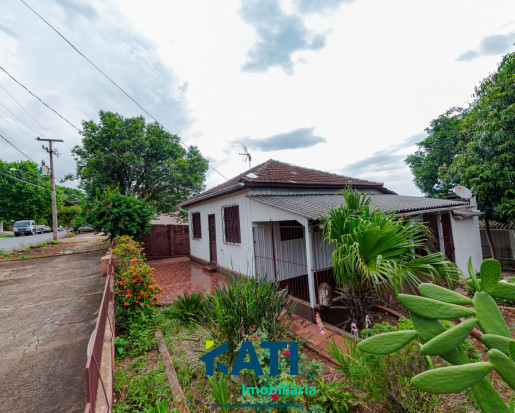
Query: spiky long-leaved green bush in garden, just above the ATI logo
[241, 305]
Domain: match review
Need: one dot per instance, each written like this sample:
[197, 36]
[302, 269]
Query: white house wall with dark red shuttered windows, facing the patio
[236, 257]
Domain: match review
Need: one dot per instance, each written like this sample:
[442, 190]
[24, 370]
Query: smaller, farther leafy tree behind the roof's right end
[436, 153]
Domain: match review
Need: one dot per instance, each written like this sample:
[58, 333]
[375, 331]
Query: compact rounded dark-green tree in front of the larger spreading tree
[117, 214]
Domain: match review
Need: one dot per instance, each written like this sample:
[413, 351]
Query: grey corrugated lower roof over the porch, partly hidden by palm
[311, 206]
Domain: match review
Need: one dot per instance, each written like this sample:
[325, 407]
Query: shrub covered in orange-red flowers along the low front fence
[134, 285]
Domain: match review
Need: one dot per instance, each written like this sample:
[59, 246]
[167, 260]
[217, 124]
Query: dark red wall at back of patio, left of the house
[167, 241]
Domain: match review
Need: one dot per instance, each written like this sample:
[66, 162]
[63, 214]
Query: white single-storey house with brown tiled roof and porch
[265, 221]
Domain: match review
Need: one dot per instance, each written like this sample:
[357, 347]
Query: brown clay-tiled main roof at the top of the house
[273, 173]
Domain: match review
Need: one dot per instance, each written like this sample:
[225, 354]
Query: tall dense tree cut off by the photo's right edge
[487, 163]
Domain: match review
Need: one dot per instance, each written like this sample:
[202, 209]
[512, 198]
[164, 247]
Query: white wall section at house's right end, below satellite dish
[467, 243]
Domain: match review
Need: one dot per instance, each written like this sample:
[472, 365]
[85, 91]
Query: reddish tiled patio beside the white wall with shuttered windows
[179, 275]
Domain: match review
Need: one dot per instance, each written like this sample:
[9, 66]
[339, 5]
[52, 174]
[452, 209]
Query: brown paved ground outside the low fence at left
[48, 310]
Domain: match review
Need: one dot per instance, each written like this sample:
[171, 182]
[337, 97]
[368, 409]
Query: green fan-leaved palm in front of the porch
[375, 250]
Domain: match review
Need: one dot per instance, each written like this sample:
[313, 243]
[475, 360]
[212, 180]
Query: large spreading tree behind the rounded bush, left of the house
[139, 159]
